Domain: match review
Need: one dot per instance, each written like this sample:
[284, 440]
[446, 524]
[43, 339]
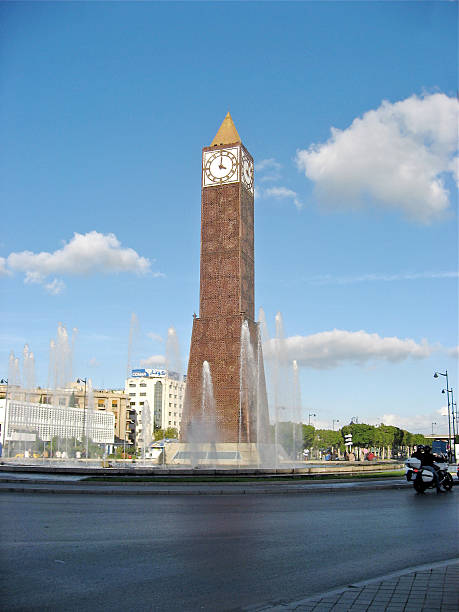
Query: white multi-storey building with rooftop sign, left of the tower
[164, 391]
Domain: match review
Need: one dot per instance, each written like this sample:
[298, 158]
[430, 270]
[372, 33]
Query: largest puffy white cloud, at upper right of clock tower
[397, 155]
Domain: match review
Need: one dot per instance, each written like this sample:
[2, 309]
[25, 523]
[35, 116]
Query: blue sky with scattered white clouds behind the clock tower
[349, 111]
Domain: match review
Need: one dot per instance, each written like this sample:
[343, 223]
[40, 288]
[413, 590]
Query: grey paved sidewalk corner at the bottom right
[432, 588]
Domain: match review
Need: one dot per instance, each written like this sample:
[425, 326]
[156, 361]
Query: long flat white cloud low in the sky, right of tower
[331, 349]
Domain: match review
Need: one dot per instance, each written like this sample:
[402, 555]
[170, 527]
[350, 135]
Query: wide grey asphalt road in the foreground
[96, 552]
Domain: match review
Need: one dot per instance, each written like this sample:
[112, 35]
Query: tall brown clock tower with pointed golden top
[226, 302]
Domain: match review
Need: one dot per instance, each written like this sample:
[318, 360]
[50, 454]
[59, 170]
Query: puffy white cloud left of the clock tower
[83, 255]
